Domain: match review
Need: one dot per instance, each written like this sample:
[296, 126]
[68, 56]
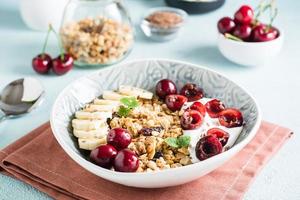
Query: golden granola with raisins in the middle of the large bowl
[150, 124]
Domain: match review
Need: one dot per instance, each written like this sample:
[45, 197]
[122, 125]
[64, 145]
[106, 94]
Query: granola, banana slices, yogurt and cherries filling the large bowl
[133, 130]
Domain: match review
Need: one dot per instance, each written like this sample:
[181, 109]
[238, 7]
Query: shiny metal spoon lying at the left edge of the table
[20, 97]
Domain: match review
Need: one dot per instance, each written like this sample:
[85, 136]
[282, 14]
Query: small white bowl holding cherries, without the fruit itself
[250, 53]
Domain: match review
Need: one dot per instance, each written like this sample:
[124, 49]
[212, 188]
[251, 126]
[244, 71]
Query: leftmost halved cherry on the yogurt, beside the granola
[191, 119]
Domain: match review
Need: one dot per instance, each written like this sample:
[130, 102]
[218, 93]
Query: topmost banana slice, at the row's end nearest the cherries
[134, 91]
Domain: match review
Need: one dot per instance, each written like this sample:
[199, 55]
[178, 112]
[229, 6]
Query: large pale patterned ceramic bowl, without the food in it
[145, 74]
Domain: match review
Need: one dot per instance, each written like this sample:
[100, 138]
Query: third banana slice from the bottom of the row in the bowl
[88, 125]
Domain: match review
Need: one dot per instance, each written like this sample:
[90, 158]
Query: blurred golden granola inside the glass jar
[96, 40]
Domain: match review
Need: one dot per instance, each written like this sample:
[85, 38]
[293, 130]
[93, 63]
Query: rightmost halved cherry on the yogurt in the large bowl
[230, 118]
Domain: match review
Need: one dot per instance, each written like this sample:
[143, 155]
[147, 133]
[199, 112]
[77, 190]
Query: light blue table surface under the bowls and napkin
[275, 85]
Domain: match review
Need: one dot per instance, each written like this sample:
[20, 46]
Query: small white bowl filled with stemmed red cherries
[247, 41]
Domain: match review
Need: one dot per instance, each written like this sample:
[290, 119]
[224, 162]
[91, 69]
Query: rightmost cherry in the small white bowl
[262, 33]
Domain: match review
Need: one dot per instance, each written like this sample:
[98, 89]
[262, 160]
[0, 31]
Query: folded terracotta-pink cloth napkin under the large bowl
[38, 160]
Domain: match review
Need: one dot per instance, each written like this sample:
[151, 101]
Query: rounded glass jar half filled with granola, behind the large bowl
[96, 32]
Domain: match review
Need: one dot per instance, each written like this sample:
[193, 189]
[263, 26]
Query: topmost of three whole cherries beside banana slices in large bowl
[119, 138]
